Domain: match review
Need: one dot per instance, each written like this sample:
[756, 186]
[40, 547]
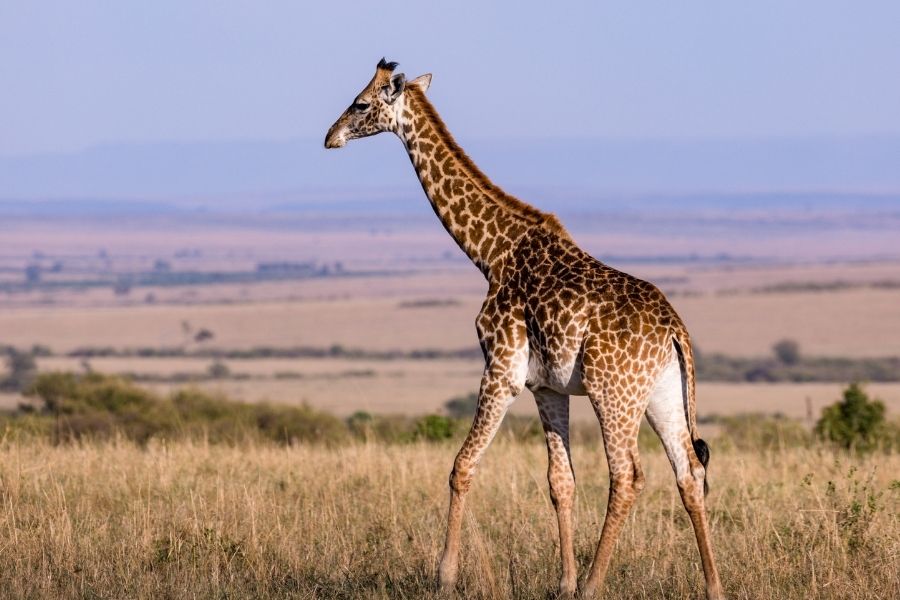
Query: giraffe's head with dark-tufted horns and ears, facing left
[376, 108]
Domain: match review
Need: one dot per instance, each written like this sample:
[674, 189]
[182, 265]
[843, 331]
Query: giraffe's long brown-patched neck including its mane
[484, 221]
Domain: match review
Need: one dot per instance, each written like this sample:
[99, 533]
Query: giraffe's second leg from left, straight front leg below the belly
[554, 411]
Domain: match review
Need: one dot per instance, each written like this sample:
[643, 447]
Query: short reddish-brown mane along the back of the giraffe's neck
[516, 207]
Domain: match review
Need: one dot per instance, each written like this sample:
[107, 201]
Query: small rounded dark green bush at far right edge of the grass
[855, 423]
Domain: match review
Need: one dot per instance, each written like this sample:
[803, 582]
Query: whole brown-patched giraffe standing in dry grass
[557, 321]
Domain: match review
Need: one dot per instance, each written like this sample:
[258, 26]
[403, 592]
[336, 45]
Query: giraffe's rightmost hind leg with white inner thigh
[665, 412]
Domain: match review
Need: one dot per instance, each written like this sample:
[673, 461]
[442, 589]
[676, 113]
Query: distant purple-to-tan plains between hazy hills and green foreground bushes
[407, 288]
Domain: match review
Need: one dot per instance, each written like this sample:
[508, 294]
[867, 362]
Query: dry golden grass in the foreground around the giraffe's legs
[196, 521]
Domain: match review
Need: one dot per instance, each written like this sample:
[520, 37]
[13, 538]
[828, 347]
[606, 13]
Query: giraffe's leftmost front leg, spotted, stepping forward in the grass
[494, 399]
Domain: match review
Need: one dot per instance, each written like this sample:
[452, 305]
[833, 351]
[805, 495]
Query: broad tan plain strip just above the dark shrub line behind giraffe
[356, 314]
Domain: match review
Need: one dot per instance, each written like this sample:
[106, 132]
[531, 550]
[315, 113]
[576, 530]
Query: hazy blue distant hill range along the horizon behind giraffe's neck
[232, 172]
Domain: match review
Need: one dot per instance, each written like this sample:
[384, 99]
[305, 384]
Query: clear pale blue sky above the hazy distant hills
[79, 74]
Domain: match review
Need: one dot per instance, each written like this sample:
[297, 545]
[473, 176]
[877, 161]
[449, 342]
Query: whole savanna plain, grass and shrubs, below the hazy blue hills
[269, 407]
